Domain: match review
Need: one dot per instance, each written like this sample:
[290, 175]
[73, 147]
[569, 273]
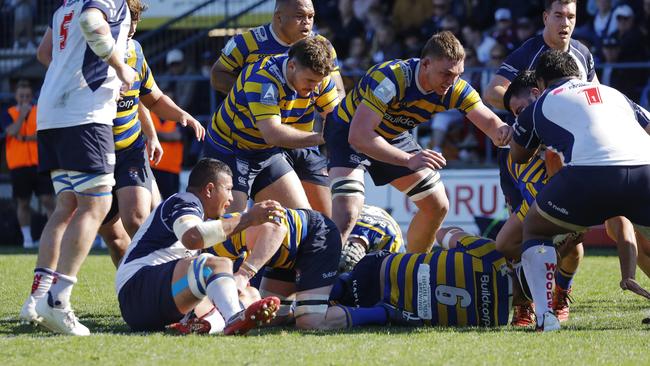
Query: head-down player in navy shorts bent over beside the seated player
[301, 256]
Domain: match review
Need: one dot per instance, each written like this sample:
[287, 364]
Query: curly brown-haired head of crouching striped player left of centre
[310, 61]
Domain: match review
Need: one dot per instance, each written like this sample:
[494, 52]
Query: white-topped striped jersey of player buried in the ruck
[379, 230]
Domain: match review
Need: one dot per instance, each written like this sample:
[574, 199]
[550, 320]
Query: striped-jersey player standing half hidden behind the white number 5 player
[133, 199]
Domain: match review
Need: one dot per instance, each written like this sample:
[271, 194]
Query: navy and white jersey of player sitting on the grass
[155, 242]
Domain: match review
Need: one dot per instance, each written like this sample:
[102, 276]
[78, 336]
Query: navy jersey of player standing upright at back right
[526, 56]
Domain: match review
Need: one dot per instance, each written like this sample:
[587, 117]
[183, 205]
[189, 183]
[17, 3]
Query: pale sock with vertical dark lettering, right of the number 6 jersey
[539, 261]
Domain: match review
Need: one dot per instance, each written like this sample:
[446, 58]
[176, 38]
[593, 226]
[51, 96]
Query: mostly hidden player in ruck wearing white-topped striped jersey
[375, 230]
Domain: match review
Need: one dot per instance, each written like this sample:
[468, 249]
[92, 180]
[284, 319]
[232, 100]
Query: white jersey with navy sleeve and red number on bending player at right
[587, 124]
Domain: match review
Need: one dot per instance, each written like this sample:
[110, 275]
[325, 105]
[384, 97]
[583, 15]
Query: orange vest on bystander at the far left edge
[22, 153]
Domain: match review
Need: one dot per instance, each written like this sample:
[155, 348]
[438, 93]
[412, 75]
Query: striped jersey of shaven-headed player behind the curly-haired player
[254, 45]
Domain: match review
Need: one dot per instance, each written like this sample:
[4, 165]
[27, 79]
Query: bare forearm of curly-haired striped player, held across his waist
[277, 134]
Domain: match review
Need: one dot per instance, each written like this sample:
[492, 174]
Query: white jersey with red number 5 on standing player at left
[79, 87]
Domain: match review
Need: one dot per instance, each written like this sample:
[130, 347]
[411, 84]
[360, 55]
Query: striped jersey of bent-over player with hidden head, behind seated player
[296, 222]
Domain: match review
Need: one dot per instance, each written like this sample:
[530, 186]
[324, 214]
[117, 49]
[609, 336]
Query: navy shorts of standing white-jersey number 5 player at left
[86, 148]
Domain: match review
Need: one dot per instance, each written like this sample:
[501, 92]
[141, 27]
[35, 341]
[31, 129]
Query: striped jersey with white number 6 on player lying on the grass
[465, 286]
